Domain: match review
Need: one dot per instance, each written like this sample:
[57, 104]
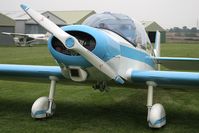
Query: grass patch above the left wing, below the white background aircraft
[38, 55]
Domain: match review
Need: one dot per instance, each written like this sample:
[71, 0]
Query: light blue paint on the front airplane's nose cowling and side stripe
[106, 49]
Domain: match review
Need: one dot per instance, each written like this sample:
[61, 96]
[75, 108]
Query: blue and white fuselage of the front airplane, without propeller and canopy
[120, 54]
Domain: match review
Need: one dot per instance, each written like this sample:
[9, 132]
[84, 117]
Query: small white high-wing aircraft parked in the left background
[27, 39]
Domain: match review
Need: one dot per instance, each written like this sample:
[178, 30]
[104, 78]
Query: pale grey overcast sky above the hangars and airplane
[167, 13]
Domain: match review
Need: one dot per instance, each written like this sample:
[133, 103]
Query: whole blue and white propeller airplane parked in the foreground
[106, 47]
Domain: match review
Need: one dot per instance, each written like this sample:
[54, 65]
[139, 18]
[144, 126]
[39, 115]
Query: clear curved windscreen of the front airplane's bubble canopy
[119, 23]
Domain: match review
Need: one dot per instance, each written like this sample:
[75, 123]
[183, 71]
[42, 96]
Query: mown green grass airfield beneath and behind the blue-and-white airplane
[80, 109]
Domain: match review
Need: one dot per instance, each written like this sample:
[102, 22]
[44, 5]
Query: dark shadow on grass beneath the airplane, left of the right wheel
[86, 114]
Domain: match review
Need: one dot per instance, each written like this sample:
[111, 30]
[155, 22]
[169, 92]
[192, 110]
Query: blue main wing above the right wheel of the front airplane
[166, 78]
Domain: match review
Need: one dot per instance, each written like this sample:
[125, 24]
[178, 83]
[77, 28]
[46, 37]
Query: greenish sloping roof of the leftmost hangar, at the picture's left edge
[6, 21]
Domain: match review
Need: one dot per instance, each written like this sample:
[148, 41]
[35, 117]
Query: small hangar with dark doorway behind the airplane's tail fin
[151, 27]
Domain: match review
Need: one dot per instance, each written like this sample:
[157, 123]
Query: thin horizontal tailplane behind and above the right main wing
[178, 63]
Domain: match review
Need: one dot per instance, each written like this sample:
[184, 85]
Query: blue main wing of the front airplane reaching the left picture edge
[12, 72]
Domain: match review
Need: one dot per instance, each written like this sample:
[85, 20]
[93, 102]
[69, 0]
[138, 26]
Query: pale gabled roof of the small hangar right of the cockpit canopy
[152, 26]
